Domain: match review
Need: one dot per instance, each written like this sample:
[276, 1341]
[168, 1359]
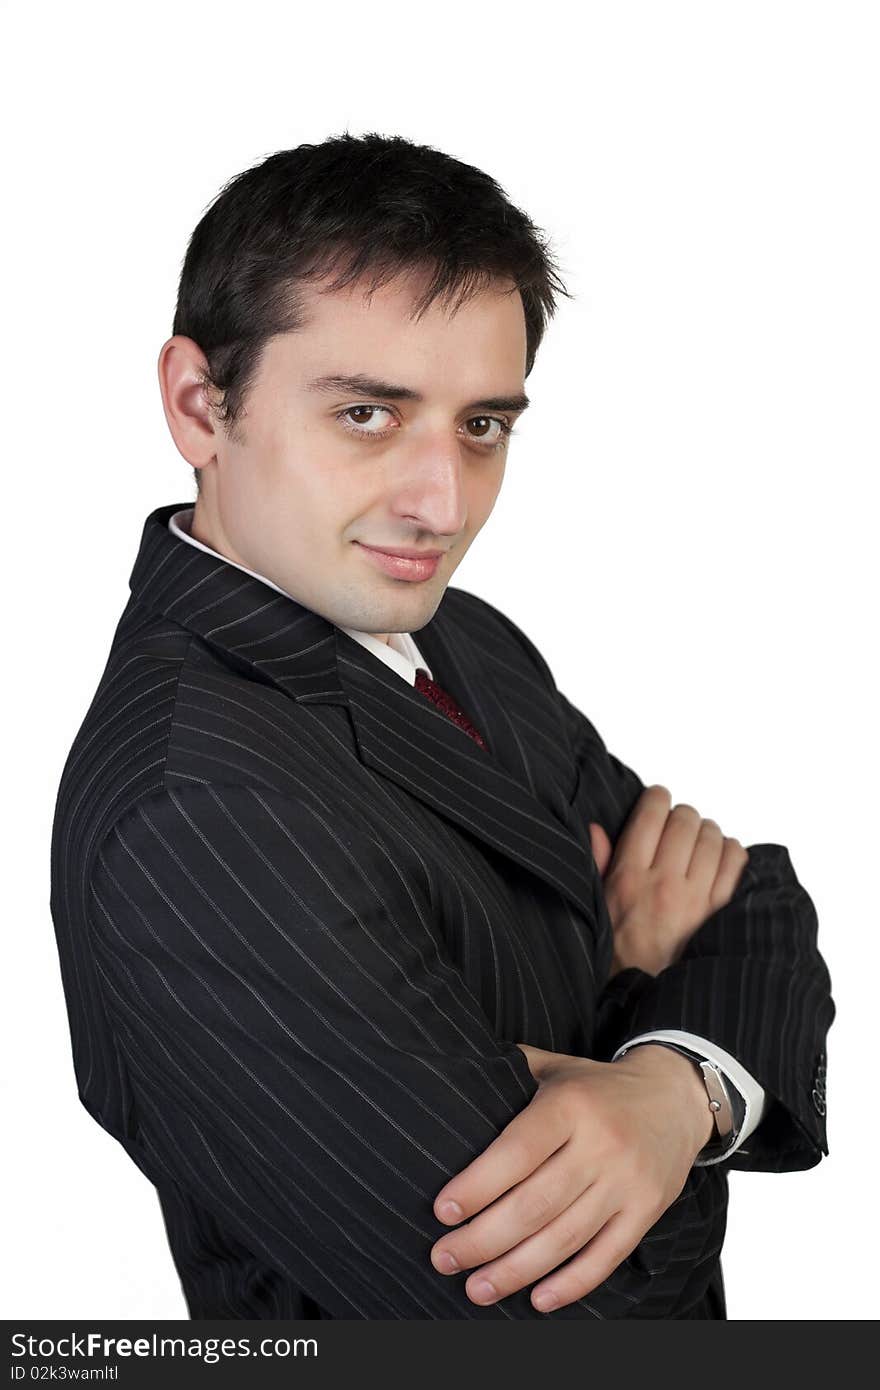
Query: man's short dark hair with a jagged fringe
[368, 205]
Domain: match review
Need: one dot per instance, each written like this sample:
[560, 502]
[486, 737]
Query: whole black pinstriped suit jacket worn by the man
[304, 921]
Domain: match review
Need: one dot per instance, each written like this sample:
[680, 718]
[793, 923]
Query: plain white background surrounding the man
[687, 528]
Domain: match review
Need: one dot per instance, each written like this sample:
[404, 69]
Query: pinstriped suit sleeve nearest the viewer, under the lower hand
[309, 1064]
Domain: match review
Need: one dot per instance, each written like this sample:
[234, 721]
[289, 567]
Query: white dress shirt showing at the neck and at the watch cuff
[404, 657]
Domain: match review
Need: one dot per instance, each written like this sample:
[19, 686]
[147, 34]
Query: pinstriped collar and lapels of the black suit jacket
[400, 733]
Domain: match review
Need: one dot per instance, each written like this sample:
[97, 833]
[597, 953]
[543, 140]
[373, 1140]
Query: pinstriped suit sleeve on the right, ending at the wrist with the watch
[751, 979]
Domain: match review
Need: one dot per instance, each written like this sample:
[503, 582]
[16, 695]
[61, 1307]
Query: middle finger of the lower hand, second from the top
[519, 1214]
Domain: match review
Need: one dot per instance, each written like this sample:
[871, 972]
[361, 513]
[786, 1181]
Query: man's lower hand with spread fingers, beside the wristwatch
[587, 1168]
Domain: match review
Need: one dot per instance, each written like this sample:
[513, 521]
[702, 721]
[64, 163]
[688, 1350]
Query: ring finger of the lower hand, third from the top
[539, 1254]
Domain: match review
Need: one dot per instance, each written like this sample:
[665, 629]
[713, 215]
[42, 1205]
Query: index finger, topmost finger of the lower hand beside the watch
[515, 1154]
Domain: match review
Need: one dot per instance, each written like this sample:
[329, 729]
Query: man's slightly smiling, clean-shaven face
[323, 475]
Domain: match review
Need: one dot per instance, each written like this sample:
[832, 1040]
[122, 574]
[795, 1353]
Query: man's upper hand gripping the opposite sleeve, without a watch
[668, 874]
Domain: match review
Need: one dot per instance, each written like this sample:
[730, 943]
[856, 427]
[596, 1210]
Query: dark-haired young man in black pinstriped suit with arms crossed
[341, 933]
